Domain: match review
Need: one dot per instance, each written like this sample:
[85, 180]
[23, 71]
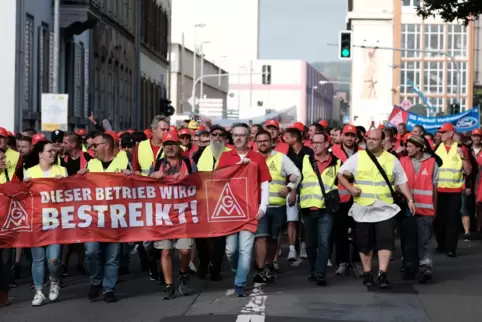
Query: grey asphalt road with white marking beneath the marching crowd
[455, 295]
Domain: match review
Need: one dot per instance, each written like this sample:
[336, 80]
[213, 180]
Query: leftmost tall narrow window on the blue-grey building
[28, 64]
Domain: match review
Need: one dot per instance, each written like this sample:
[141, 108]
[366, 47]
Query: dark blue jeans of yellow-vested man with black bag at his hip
[318, 225]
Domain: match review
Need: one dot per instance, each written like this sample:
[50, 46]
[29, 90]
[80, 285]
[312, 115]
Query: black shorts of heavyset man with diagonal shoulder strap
[377, 235]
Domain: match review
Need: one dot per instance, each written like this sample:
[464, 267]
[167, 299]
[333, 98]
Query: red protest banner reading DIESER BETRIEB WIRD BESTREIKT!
[110, 207]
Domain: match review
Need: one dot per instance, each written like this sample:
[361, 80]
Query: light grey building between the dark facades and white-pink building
[182, 71]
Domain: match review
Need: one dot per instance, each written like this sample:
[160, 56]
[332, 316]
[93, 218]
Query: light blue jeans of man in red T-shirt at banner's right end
[239, 248]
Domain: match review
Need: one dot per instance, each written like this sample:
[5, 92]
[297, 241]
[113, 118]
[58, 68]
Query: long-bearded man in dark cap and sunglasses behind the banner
[211, 250]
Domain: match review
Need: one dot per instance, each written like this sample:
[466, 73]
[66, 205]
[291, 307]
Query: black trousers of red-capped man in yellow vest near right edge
[447, 222]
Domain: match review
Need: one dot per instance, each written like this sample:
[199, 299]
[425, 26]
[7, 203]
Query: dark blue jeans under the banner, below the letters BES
[102, 262]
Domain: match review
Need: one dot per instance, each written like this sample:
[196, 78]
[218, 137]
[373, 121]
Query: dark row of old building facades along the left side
[98, 59]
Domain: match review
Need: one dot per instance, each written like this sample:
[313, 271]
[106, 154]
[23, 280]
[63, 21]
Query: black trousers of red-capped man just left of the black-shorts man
[342, 222]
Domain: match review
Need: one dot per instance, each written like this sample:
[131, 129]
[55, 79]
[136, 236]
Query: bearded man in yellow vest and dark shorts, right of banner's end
[281, 168]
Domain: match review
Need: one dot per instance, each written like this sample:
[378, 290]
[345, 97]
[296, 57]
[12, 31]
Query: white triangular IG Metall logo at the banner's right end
[228, 207]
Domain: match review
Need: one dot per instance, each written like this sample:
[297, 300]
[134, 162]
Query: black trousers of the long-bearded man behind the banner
[210, 251]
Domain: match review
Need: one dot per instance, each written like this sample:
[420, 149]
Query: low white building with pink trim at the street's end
[294, 83]
